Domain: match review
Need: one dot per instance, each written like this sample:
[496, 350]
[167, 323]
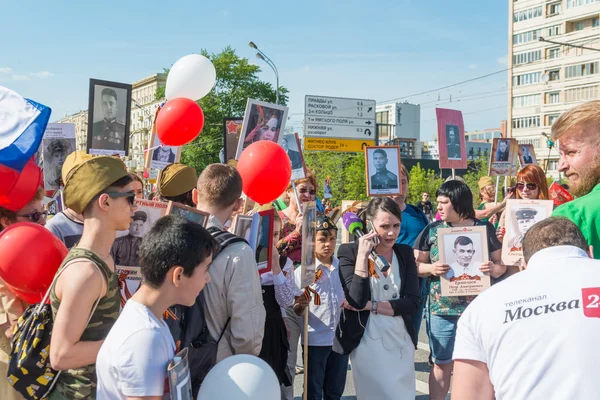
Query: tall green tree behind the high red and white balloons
[237, 81]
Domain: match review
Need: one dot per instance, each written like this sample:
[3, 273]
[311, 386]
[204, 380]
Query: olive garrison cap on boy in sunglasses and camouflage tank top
[89, 179]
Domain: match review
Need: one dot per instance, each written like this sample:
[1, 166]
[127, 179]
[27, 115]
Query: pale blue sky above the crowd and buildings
[376, 49]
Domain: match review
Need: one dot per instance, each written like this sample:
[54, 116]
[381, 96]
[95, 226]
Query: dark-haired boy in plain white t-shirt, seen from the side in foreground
[133, 360]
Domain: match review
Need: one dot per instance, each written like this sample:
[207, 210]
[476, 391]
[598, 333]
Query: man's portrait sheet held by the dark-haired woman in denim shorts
[464, 249]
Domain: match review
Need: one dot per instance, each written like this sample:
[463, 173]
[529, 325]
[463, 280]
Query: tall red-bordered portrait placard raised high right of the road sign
[451, 139]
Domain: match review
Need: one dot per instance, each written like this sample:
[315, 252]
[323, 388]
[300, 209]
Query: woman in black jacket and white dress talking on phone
[376, 327]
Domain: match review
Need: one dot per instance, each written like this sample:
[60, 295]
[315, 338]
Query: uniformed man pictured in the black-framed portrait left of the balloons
[108, 134]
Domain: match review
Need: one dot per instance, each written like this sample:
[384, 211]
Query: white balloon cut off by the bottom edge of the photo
[240, 377]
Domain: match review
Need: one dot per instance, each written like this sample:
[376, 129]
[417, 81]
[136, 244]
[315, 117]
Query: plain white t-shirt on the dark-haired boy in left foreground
[133, 359]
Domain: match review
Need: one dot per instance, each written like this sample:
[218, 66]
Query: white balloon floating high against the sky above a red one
[192, 76]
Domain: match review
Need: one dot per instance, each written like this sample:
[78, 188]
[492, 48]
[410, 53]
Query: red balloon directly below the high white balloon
[179, 122]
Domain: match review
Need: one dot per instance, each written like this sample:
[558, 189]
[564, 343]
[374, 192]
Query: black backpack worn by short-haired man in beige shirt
[188, 324]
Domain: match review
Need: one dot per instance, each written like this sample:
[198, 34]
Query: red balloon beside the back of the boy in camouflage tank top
[29, 257]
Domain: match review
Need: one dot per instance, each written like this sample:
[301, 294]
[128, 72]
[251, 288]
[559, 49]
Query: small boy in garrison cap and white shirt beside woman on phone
[326, 369]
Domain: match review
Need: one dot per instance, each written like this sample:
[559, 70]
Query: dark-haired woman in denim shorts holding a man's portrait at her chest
[455, 205]
